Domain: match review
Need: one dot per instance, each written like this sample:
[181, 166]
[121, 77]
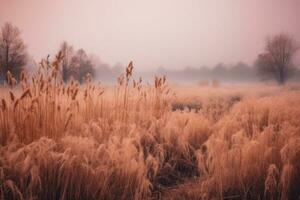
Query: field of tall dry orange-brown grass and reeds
[147, 141]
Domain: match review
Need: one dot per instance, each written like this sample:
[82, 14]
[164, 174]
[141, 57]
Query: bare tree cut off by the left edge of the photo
[13, 56]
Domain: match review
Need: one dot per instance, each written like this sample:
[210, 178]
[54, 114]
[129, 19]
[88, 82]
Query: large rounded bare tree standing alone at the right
[276, 61]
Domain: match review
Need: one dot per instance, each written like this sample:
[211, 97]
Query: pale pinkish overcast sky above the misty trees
[153, 33]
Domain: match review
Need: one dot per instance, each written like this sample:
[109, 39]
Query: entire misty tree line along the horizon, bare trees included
[276, 62]
